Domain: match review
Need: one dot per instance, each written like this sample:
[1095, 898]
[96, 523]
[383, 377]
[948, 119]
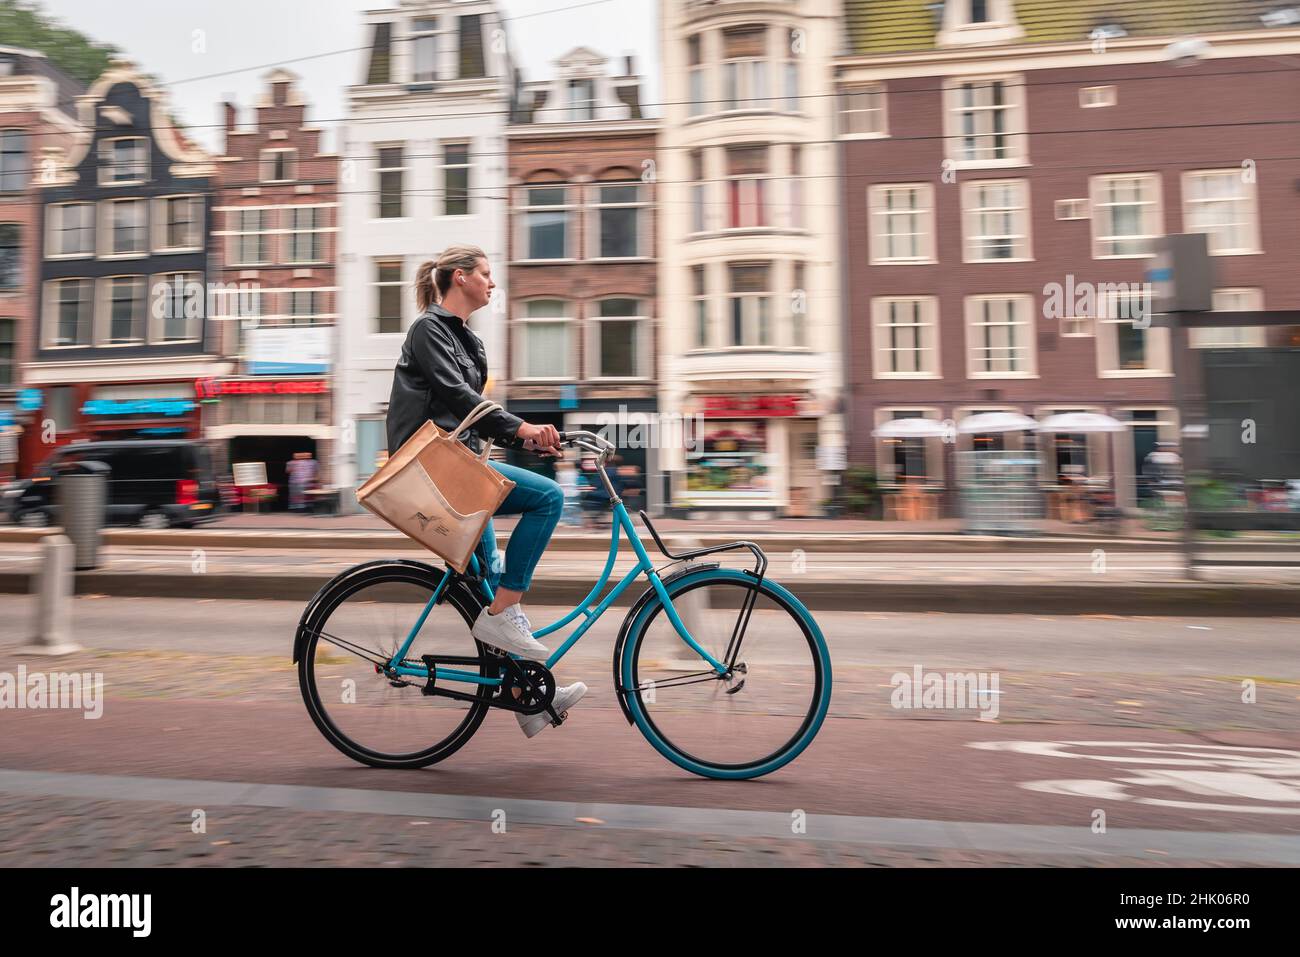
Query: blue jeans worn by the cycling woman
[540, 503]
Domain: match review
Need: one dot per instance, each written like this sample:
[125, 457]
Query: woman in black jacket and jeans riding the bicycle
[440, 378]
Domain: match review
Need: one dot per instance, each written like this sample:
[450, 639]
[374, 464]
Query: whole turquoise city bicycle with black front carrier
[723, 670]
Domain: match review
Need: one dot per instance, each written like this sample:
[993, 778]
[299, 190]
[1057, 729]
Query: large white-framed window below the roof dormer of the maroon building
[985, 122]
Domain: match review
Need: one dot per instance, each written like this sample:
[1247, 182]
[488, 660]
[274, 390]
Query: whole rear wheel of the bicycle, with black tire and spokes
[362, 622]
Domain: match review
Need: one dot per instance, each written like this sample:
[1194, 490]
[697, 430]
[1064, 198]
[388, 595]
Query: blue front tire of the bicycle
[630, 673]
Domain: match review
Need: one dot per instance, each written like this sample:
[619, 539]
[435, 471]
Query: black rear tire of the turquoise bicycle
[345, 587]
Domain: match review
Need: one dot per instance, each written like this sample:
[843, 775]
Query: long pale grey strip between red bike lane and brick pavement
[959, 835]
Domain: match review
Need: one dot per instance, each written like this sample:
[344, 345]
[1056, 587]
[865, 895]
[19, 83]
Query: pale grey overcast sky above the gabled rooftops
[244, 38]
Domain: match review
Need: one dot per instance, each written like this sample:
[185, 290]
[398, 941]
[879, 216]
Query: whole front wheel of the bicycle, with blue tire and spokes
[752, 722]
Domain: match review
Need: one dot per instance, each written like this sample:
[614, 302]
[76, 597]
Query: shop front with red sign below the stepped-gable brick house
[263, 425]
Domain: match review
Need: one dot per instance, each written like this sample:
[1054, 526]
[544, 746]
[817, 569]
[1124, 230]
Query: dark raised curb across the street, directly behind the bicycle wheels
[1175, 599]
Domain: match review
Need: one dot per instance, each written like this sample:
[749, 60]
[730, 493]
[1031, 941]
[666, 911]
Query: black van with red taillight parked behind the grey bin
[155, 484]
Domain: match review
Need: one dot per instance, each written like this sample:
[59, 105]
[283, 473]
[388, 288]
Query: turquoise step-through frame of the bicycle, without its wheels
[622, 523]
